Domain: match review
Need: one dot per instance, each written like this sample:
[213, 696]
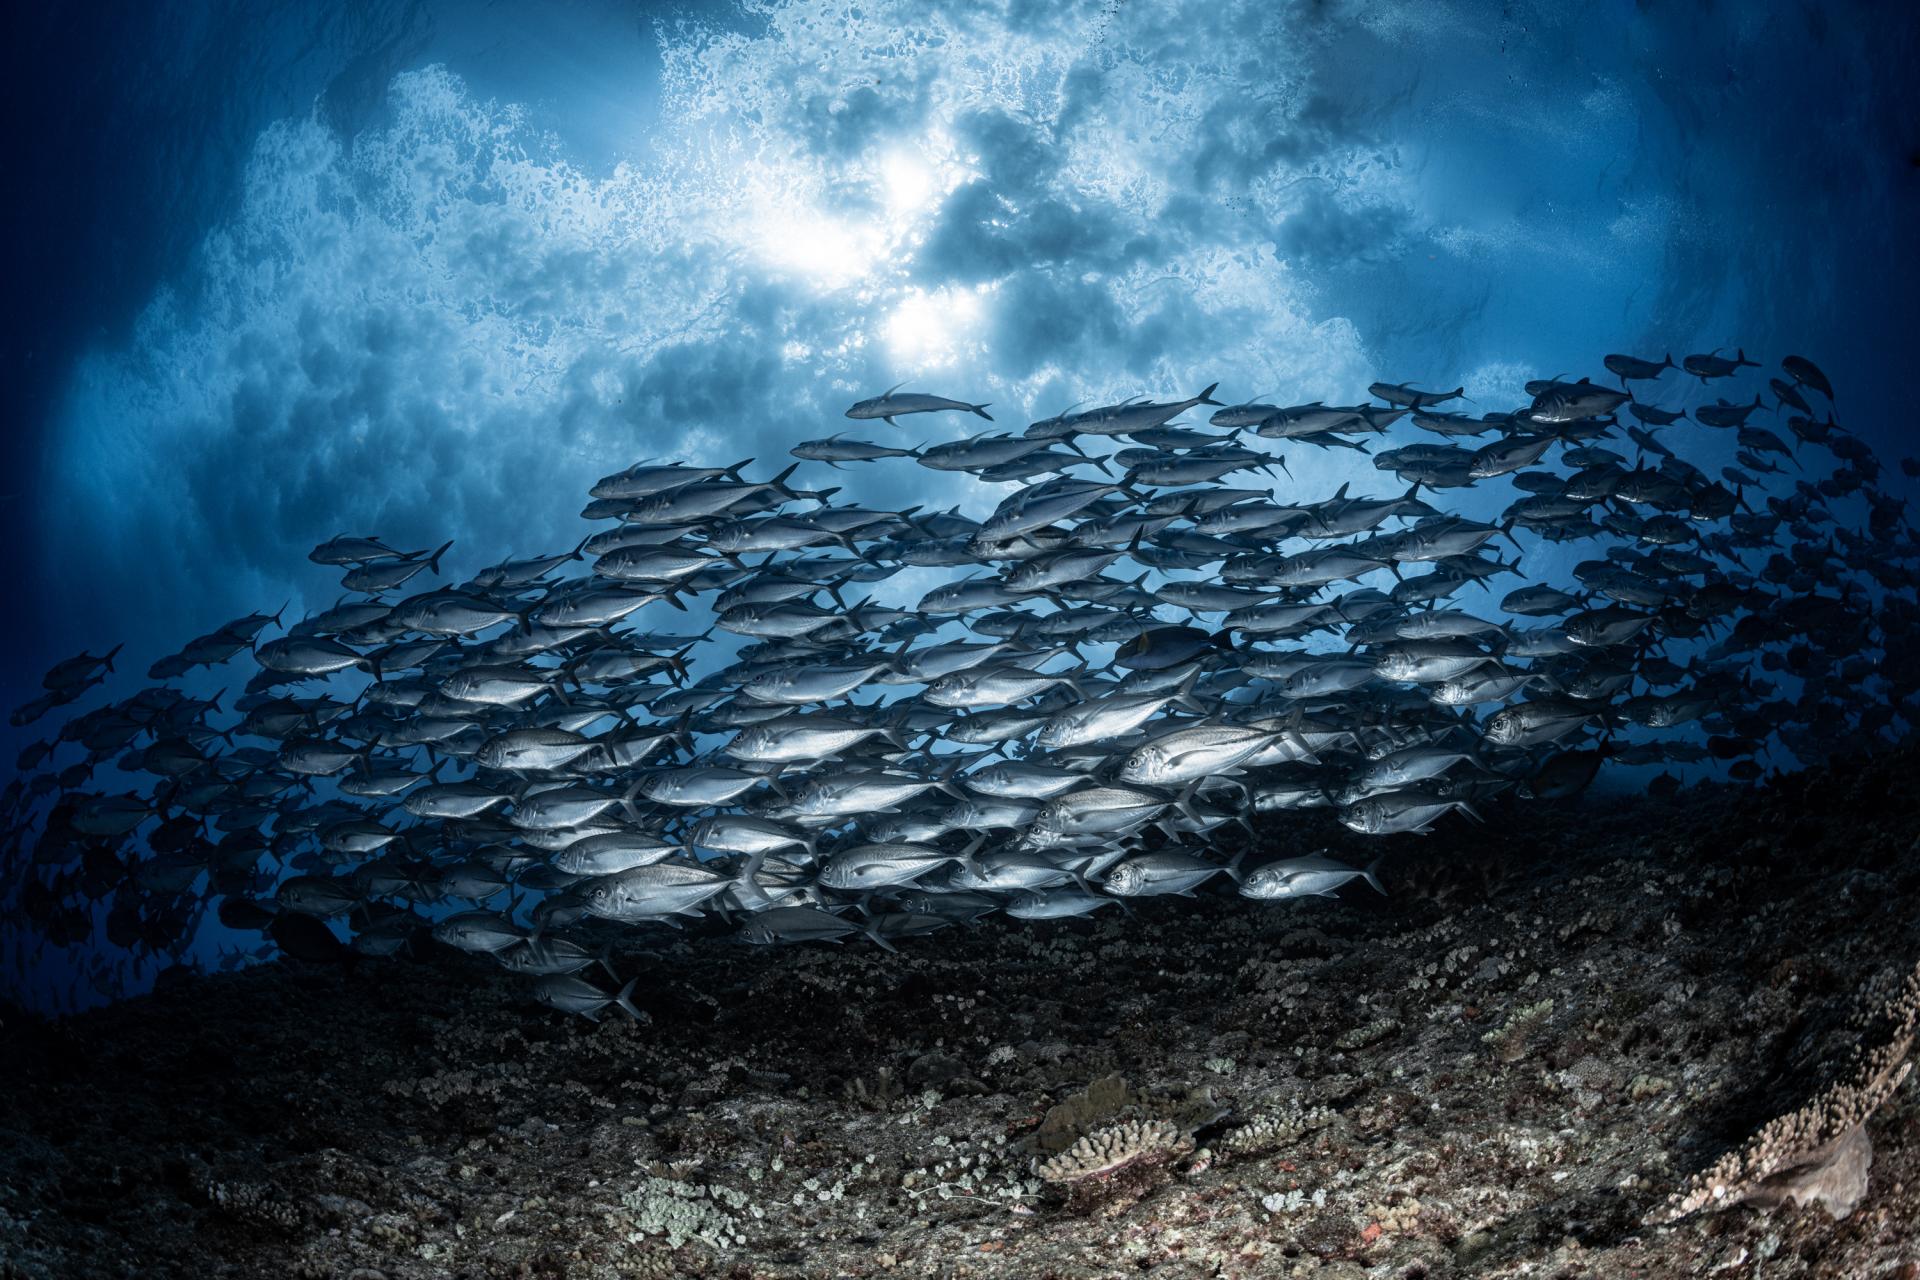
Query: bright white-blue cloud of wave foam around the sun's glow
[444, 327]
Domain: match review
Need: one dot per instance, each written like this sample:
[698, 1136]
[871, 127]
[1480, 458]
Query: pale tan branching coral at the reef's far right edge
[1819, 1154]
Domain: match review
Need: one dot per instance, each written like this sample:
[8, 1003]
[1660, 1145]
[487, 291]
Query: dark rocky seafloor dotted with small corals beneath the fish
[1497, 1072]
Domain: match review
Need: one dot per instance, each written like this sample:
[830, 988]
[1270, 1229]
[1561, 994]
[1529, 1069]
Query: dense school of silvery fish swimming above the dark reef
[706, 709]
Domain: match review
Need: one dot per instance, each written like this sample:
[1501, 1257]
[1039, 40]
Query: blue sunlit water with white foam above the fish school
[427, 270]
